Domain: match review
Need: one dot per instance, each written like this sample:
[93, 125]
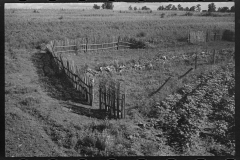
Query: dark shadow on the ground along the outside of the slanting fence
[57, 86]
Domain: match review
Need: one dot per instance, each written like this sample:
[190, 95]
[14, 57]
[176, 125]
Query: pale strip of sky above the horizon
[117, 5]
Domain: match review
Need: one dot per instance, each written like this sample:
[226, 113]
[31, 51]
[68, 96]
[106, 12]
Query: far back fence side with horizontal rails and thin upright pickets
[87, 44]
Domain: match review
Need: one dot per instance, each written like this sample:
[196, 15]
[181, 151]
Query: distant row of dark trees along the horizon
[211, 7]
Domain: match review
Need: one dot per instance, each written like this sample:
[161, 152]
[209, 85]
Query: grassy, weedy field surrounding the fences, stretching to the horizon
[191, 116]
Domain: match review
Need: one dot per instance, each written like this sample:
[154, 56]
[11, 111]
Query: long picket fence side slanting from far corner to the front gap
[80, 81]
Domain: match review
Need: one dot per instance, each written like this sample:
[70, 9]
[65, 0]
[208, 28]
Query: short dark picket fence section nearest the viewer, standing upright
[111, 100]
